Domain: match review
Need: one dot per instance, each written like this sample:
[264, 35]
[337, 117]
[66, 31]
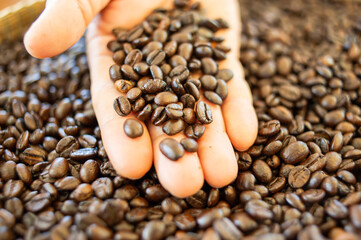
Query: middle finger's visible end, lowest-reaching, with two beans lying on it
[182, 178]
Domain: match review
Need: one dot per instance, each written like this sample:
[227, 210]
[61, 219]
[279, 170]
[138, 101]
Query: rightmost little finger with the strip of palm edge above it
[239, 115]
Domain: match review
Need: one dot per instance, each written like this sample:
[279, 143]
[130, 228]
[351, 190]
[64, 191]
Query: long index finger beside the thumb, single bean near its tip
[131, 158]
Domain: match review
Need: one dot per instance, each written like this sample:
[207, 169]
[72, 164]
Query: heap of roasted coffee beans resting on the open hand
[161, 67]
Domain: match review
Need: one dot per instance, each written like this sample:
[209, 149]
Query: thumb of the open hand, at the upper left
[60, 26]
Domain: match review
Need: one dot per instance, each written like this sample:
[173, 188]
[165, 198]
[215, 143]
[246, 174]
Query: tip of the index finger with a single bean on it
[131, 158]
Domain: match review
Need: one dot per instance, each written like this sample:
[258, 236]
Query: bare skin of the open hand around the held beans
[234, 123]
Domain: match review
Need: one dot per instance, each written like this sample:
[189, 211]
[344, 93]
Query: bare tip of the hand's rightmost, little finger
[241, 123]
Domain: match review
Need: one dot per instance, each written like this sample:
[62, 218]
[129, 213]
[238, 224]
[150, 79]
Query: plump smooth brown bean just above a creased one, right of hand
[295, 152]
